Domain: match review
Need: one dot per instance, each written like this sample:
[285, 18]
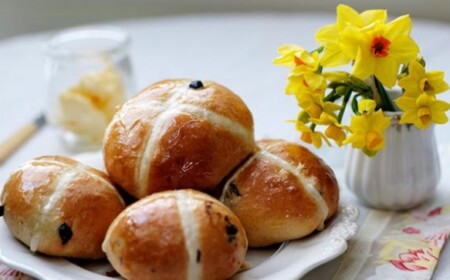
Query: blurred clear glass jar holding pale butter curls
[88, 74]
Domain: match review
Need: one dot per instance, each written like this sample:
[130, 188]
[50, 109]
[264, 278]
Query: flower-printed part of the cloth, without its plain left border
[409, 246]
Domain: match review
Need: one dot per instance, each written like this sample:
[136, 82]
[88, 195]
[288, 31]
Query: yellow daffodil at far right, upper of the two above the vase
[418, 81]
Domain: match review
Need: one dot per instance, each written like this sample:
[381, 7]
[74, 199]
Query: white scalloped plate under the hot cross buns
[286, 261]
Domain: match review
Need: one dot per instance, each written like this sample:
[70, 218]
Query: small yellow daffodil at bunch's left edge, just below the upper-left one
[307, 83]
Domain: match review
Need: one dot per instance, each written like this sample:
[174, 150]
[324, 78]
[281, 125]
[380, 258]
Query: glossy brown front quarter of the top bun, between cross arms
[188, 157]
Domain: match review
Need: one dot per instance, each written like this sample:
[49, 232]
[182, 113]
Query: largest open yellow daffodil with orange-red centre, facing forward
[379, 49]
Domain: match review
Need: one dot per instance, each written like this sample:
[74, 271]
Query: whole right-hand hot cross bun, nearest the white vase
[282, 192]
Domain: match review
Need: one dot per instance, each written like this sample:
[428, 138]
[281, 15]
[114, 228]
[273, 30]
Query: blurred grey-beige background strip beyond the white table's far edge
[27, 16]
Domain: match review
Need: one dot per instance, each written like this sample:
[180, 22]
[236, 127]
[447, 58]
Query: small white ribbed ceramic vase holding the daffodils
[402, 175]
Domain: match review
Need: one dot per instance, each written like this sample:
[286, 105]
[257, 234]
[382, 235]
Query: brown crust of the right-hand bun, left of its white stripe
[272, 203]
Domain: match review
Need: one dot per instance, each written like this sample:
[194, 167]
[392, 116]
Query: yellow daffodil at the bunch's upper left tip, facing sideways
[298, 58]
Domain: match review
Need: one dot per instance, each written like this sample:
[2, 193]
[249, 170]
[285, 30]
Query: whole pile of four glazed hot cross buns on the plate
[172, 147]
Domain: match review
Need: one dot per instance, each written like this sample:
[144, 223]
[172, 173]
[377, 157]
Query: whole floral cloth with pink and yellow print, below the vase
[397, 245]
